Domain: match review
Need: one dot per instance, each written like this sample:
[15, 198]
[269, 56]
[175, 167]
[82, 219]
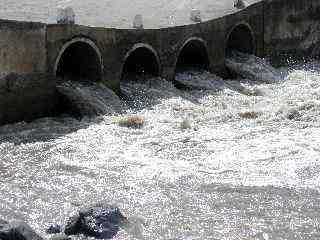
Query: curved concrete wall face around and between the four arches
[114, 44]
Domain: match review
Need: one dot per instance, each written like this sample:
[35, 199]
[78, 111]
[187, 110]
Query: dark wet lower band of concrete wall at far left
[26, 97]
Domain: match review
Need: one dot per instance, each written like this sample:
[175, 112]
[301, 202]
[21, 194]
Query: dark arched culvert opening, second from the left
[141, 62]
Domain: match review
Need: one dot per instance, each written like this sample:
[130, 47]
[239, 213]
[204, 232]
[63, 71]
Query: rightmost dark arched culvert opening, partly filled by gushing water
[240, 39]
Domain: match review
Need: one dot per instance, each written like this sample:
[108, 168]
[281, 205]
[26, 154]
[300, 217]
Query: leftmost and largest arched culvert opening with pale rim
[79, 60]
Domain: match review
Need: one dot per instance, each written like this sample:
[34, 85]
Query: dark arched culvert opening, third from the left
[193, 56]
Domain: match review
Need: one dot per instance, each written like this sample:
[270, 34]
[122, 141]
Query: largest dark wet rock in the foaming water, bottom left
[99, 221]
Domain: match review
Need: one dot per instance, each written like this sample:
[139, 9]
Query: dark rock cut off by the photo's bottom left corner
[17, 231]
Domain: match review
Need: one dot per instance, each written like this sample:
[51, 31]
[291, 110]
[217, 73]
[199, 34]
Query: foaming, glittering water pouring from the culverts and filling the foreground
[233, 159]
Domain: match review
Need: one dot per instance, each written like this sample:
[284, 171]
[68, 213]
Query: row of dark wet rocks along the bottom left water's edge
[101, 221]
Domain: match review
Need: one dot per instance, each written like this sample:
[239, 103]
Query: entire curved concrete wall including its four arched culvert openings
[34, 55]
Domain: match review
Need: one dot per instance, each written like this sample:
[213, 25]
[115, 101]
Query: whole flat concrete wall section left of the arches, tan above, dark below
[28, 92]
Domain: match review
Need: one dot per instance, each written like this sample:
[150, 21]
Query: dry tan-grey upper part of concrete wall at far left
[22, 47]
